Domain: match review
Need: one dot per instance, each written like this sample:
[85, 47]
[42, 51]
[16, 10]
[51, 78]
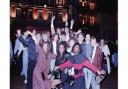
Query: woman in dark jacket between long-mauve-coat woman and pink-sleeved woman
[62, 75]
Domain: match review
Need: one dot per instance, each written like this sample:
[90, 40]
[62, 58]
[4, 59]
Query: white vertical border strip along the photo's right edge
[123, 44]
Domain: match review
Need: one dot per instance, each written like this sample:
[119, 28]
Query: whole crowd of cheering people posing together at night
[61, 58]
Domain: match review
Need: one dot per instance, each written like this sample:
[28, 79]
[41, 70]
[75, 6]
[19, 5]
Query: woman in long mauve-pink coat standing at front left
[41, 76]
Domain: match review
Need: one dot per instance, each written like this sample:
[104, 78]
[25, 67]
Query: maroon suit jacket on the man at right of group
[98, 59]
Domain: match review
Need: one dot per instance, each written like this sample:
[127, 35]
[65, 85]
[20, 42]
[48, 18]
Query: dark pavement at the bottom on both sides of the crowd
[17, 81]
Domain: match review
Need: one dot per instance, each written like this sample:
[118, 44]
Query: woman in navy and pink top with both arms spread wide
[78, 61]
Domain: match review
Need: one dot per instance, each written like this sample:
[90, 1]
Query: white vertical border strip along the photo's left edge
[4, 44]
